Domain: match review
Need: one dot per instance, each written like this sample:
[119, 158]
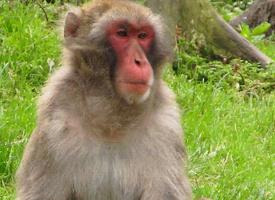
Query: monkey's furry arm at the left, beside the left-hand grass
[38, 177]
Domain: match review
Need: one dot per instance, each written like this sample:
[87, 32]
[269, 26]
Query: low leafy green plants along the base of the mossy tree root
[242, 76]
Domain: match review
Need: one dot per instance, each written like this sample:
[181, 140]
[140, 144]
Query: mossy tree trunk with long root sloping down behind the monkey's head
[199, 14]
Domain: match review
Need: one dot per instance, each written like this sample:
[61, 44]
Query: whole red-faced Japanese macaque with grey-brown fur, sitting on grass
[108, 127]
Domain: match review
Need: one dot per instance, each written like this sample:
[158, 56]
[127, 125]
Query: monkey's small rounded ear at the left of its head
[72, 23]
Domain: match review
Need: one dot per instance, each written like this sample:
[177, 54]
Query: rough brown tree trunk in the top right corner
[260, 11]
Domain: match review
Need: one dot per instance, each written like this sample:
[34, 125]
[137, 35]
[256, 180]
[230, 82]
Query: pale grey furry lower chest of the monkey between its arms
[110, 172]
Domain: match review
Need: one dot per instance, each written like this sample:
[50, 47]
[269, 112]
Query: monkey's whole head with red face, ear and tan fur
[122, 40]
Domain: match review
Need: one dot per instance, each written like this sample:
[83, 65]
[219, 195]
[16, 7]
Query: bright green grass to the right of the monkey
[230, 141]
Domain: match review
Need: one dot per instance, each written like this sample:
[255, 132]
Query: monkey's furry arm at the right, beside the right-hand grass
[170, 181]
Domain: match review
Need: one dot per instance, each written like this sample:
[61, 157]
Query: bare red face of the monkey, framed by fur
[134, 74]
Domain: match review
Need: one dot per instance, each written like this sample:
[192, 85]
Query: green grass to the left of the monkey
[27, 45]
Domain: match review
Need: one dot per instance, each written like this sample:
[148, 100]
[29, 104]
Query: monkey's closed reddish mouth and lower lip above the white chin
[137, 87]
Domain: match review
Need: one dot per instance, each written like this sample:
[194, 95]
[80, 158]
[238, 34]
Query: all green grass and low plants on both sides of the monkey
[228, 116]
